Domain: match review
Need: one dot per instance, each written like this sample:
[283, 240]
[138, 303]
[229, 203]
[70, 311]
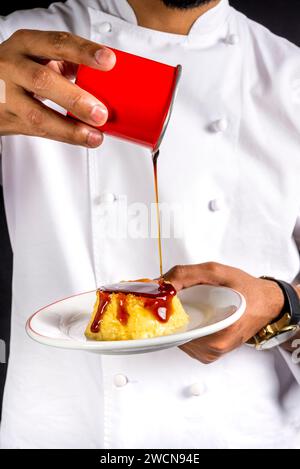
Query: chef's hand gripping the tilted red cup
[40, 64]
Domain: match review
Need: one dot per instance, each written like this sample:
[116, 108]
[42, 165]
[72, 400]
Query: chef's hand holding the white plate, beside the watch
[264, 300]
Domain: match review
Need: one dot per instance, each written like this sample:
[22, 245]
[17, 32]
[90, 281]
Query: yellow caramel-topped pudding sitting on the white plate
[136, 310]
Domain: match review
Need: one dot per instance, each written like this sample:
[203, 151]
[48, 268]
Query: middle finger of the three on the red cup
[46, 83]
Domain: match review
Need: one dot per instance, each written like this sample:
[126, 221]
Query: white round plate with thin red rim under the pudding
[62, 324]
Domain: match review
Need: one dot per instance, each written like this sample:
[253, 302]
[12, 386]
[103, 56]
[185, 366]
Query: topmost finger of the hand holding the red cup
[60, 45]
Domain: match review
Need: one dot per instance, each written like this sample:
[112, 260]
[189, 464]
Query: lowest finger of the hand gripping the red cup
[32, 117]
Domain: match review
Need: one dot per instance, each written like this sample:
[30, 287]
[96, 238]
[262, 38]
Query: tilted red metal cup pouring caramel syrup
[139, 94]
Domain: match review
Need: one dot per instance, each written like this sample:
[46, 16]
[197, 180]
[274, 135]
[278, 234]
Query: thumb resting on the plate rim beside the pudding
[184, 276]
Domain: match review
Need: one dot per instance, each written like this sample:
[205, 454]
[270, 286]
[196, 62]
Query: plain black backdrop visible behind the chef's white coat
[281, 16]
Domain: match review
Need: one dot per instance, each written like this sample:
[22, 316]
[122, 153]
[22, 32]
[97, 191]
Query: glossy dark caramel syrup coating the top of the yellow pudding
[157, 297]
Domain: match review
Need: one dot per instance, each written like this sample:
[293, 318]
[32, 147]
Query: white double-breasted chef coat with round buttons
[231, 159]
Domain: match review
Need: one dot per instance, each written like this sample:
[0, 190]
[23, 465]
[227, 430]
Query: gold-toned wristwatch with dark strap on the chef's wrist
[286, 326]
